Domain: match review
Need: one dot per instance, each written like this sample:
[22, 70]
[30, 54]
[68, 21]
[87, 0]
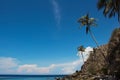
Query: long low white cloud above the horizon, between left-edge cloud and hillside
[65, 68]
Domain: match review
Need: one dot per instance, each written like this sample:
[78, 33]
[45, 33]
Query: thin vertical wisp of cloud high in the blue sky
[56, 11]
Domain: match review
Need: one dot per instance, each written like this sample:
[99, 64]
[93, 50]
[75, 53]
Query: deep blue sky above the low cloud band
[41, 32]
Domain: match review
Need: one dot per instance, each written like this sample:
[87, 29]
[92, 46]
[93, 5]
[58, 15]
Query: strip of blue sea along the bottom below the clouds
[30, 77]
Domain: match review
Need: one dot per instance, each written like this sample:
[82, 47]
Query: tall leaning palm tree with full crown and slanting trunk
[88, 22]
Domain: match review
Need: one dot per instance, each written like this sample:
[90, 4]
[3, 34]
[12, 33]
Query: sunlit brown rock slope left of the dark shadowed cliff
[96, 61]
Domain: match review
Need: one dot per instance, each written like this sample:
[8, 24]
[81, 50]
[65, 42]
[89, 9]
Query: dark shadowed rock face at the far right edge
[114, 53]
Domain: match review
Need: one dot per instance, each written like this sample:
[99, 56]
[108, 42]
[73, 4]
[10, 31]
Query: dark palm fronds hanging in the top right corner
[110, 7]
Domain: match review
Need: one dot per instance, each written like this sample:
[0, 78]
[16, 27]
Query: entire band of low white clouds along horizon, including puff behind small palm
[10, 65]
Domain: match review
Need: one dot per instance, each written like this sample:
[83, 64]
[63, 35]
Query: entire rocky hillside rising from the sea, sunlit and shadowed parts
[97, 65]
